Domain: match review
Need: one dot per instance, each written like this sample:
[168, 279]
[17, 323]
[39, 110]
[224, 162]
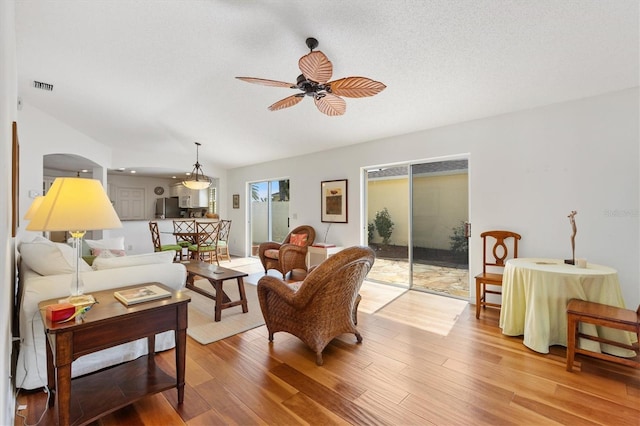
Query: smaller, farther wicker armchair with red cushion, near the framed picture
[285, 256]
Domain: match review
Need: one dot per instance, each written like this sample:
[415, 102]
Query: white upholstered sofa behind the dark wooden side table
[31, 372]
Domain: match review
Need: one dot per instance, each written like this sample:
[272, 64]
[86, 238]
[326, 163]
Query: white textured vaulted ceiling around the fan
[149, 78]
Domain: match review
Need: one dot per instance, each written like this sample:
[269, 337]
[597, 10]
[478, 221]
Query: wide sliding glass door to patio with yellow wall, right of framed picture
[416, 214]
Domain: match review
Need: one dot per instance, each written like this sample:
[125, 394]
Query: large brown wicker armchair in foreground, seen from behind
[323, 305]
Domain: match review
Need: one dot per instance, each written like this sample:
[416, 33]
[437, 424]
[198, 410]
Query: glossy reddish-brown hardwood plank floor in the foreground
[399, 375]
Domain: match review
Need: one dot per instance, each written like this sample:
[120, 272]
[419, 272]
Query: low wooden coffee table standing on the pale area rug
[216, 276]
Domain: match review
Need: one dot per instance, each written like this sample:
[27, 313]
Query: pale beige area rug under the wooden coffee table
[202, 326]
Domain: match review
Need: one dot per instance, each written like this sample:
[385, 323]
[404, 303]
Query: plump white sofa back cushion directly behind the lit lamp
[48, 258]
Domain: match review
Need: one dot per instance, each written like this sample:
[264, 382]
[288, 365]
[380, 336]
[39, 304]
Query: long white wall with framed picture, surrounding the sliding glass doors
[527, 171]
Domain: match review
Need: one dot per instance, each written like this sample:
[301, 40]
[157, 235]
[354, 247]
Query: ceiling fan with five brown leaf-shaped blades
[314, 81]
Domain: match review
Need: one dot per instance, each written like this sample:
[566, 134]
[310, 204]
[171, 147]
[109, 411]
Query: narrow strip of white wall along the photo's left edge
[8, 114]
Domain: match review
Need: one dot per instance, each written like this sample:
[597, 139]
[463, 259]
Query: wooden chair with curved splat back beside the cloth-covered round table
[493, 262]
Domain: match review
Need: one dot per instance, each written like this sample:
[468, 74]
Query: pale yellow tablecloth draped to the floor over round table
[535, 293]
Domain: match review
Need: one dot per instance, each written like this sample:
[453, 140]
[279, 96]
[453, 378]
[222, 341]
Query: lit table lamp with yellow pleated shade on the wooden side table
[76, 205]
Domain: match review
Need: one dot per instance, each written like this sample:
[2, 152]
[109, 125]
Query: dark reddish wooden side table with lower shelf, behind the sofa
[110, 323]
